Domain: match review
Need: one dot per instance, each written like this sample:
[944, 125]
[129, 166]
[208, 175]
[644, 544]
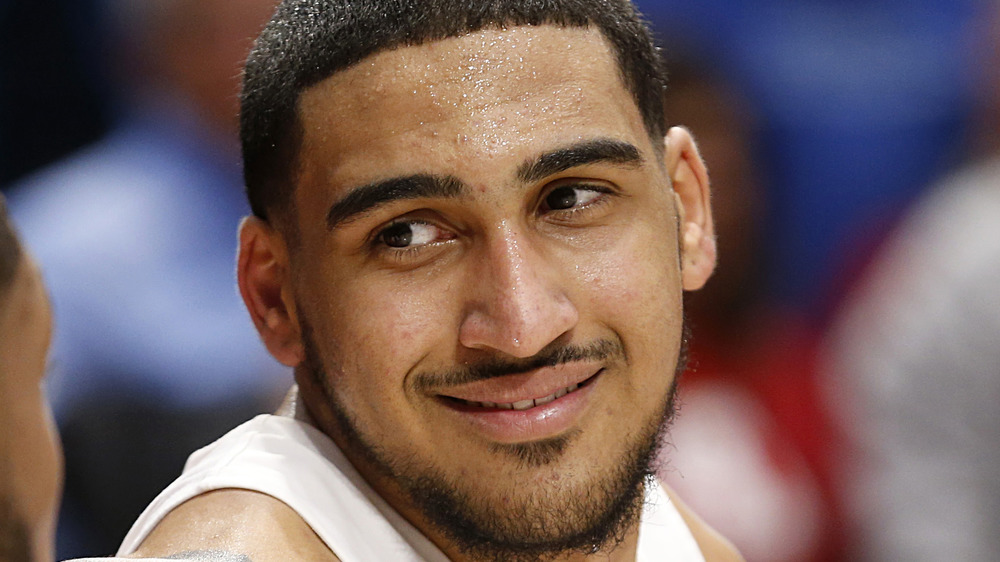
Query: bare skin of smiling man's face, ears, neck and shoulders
[497, 274]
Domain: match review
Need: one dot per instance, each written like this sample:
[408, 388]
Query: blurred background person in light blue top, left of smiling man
[153, 355]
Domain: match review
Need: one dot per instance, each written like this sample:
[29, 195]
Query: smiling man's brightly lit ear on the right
[689, 180]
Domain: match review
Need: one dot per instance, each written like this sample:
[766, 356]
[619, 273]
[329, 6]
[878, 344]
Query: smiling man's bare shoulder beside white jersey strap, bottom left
[234, 526]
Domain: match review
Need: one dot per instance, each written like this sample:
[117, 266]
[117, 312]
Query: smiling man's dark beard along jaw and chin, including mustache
[561, 517]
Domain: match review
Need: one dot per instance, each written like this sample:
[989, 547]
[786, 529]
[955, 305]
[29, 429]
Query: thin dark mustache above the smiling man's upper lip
[598, 350]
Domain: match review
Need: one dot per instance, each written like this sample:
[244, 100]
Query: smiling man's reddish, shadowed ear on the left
[262, 270]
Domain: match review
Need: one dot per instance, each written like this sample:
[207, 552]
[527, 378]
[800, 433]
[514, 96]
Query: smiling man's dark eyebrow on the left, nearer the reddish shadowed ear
[366, 198]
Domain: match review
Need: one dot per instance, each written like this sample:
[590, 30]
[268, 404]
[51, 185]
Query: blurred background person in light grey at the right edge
[913, 364]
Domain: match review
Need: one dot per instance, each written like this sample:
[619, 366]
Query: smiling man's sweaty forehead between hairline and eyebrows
[447, 106]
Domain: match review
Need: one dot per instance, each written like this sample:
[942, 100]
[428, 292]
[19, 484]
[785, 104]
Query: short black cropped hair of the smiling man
[309, 40]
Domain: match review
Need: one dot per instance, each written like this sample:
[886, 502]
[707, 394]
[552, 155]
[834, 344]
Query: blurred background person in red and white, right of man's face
[751, 446]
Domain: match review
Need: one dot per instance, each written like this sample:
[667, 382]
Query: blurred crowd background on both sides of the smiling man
[841, 399]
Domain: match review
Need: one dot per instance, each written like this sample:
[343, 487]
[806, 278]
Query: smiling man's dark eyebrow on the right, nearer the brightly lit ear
[602, 150]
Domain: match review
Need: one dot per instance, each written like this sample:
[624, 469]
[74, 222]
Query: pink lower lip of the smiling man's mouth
[521, 426]
